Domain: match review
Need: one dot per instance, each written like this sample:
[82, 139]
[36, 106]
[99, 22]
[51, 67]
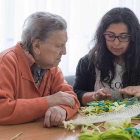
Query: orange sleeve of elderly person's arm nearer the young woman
[59, 84]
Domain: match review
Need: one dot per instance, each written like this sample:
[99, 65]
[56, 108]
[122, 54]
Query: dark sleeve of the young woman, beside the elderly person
[85, 78]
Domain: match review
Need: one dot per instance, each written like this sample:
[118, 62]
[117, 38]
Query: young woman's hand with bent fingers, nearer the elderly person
[102, 94]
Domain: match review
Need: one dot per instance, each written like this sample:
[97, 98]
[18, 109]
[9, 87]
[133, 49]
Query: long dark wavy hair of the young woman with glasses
[103, 59]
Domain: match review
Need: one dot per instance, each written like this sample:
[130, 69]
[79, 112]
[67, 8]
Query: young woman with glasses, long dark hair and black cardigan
[111, 70]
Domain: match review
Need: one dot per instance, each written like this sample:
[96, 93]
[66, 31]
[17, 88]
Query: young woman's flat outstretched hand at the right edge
[131, 90]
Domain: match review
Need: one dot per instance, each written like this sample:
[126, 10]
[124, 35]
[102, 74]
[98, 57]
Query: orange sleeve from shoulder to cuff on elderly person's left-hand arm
[13, 109]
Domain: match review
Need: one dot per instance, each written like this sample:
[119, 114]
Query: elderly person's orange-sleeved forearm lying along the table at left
[22, 110]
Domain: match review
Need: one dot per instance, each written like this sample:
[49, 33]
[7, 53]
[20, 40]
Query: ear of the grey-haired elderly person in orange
[36, 46]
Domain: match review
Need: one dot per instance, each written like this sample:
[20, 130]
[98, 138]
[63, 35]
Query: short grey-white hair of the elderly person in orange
[40, 25]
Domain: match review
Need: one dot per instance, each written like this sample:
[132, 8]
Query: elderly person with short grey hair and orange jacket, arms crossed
[31, 84]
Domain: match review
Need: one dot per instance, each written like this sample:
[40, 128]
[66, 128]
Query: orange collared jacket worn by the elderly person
[20, 100]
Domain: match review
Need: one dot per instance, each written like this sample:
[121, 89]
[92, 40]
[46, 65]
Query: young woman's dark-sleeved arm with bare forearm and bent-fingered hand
[85, 81]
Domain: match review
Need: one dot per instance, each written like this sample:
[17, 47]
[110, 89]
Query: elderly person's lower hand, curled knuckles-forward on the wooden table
[54, 116]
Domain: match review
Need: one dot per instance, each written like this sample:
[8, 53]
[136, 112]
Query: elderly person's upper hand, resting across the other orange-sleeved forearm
[61, 98]
